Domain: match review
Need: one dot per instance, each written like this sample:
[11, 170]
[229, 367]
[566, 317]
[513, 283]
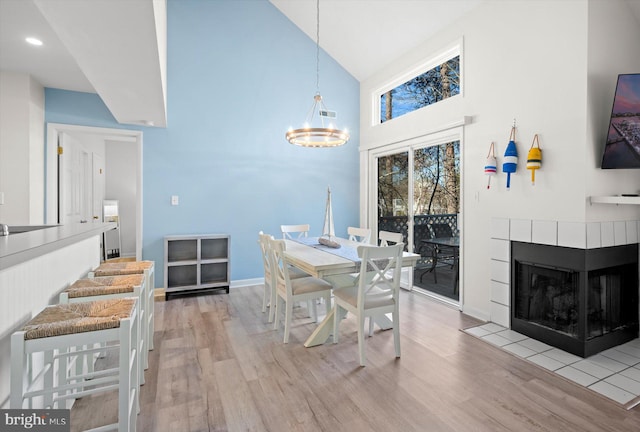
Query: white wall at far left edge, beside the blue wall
[21, 149]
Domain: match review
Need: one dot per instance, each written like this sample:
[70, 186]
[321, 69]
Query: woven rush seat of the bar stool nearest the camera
[72, 318]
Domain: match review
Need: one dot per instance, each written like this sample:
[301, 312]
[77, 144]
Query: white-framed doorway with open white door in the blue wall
[117, 140]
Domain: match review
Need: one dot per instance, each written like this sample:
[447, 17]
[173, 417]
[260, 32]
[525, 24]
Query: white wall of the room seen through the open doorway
[121, 185]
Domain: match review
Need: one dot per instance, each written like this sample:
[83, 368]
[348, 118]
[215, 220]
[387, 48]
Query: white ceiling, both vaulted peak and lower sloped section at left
[118, 48]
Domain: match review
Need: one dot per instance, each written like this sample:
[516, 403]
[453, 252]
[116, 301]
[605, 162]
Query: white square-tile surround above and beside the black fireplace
[578, 235]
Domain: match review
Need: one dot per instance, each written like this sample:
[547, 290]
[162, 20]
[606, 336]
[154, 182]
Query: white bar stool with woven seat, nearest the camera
[56, 334]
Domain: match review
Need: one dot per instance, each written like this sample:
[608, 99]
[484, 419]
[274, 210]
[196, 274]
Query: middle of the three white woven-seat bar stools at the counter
[107, 287]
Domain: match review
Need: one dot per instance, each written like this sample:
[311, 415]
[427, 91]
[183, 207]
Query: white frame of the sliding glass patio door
[431, 139]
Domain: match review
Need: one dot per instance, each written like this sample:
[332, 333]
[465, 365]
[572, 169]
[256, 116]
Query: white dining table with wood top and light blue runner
[320, 261]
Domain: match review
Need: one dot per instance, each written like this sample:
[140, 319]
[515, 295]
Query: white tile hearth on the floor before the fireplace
[614, 373]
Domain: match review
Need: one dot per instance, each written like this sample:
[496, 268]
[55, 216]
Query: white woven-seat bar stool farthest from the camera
[129, 268]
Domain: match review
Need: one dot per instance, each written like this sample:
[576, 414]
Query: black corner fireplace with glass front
[582, 301]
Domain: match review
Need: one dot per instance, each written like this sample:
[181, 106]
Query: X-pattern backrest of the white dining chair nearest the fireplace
[383, 268]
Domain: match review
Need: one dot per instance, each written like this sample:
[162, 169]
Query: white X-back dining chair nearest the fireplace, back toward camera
[375, 291]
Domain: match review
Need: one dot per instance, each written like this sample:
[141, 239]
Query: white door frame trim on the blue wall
[51, 168]
